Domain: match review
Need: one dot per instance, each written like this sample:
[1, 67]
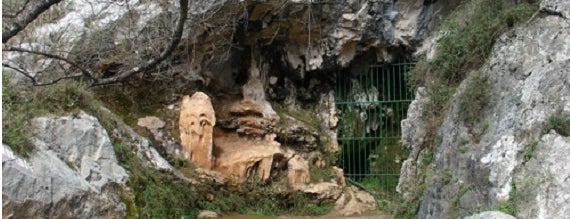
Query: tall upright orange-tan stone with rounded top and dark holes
[197, 121]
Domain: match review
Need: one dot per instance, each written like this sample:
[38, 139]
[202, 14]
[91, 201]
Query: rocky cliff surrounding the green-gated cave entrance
[244, 111]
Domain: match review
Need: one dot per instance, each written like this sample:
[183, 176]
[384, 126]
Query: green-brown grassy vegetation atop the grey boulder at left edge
[20, 105]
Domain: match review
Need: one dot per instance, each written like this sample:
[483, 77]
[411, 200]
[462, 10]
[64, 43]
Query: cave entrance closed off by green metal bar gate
[371, 103]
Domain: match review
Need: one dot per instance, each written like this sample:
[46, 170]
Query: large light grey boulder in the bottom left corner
[72, 173]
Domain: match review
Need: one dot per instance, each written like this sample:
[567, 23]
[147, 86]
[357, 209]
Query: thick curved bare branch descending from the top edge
[153, 62]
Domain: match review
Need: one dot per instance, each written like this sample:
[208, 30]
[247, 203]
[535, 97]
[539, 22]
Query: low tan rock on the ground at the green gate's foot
[354, 202]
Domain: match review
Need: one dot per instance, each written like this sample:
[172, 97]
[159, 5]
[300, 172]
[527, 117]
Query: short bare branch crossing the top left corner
[26, 19]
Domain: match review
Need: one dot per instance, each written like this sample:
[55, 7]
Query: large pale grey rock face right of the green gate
[516, 158]
